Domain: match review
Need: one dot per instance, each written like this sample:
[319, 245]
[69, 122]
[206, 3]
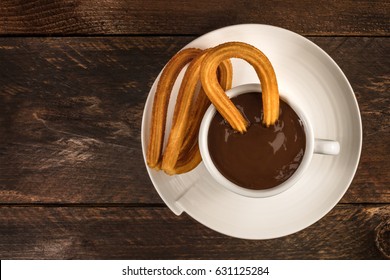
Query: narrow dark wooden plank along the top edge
[82, 17]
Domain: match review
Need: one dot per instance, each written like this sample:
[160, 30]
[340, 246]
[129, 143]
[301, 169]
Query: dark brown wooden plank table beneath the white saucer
[74, 77]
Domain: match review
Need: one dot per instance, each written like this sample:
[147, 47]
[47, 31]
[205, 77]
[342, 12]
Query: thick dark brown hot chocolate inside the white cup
[262, 157]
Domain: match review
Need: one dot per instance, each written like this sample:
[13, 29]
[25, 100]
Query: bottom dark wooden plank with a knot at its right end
[347, 232]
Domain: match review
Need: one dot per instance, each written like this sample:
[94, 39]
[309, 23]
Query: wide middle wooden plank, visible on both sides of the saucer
[71, 111]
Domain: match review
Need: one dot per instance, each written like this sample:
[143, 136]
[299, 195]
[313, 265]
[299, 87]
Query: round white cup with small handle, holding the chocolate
[313, 146]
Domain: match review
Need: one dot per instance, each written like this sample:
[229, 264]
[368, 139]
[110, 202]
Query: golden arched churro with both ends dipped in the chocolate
[216, 94]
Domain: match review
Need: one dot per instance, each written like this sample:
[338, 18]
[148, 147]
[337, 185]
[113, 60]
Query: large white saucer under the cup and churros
[316, 84]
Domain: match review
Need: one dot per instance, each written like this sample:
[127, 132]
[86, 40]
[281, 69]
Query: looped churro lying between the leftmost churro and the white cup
[184, 128]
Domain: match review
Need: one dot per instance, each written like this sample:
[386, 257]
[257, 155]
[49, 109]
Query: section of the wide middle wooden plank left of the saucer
[70, 127]
